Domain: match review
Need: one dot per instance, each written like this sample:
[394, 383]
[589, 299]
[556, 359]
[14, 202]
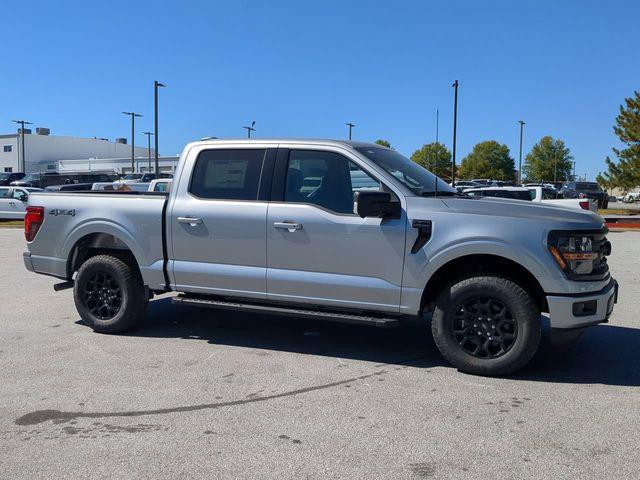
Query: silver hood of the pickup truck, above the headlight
[501, 207]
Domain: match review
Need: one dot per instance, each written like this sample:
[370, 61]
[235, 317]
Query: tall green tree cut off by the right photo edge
[625, 173]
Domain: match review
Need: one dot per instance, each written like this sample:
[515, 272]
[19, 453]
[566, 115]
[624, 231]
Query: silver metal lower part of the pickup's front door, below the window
[339, 260]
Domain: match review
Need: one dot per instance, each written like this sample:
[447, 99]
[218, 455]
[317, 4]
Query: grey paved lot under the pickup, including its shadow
[198, 393]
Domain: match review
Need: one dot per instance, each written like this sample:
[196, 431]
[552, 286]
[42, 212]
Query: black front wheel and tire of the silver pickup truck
[509, 338]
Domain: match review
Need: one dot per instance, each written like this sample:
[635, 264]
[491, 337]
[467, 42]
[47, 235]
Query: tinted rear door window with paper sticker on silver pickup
[227, 174]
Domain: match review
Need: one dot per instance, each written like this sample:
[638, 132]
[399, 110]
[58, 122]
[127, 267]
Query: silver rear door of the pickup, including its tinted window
[219, 244]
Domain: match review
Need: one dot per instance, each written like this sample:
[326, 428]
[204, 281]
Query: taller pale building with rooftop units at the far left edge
[42, 149]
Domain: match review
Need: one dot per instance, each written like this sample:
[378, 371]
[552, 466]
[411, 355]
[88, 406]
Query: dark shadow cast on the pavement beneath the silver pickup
[605, 354]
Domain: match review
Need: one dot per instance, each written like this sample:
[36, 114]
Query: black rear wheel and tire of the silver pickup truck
[109, 294]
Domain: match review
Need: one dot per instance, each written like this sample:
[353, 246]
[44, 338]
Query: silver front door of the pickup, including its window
[318, 251]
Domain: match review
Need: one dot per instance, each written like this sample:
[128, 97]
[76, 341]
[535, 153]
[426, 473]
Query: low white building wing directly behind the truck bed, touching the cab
[116, 165]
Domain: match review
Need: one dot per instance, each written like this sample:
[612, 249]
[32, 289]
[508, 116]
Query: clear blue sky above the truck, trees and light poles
[303, 69]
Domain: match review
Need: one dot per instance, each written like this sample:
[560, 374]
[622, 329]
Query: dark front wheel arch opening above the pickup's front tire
[474, 264]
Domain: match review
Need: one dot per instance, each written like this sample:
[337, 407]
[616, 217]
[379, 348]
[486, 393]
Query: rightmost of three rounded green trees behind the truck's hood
[549, 159]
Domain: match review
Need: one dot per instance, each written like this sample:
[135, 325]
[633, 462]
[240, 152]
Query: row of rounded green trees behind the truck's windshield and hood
[549, 159]
